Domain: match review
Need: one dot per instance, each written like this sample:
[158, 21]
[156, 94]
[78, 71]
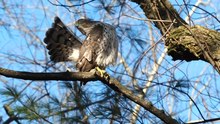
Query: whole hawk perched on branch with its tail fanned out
[99, 48]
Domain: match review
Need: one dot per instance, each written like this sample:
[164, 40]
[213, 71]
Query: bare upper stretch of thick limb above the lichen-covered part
[161, 10]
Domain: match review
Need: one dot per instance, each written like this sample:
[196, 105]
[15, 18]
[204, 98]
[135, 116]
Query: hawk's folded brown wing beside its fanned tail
[90, 49]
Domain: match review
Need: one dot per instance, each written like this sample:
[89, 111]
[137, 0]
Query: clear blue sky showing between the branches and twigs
[20, 46]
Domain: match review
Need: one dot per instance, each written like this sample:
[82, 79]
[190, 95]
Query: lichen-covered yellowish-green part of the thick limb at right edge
[190, 43]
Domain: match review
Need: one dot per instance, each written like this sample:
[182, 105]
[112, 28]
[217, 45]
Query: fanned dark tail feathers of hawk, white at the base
[62, 44]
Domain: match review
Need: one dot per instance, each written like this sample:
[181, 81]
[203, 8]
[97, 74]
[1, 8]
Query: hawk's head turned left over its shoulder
[84, 25]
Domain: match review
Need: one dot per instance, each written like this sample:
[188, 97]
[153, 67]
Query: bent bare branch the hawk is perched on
[91, 76]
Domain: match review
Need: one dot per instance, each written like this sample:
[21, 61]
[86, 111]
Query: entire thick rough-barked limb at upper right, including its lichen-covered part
[183, 42]
